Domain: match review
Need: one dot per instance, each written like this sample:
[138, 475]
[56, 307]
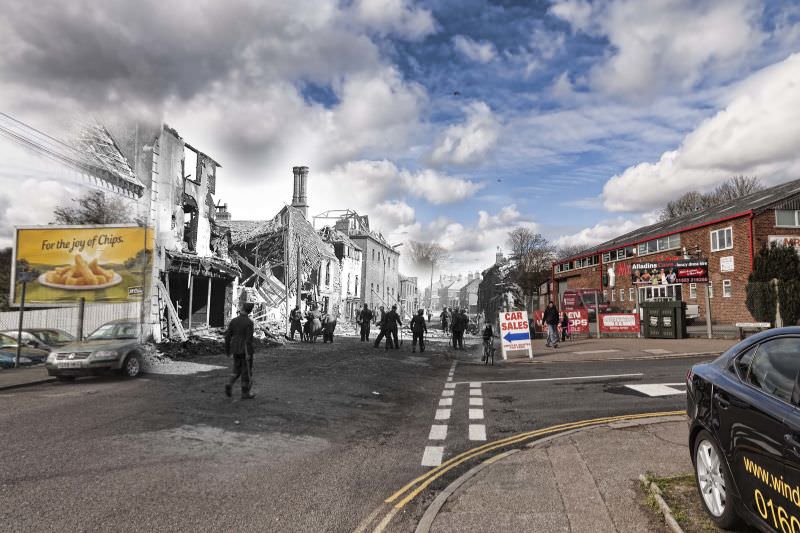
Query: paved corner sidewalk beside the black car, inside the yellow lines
[586, 481]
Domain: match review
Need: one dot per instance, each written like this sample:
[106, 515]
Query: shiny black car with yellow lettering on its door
[744, 413]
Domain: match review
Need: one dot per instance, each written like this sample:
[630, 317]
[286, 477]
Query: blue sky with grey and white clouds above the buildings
[447, 120]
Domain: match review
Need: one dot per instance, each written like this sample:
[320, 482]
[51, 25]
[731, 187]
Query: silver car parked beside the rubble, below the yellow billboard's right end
[113, 347]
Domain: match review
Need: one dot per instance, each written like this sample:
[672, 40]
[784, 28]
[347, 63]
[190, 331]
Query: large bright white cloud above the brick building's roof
[756, 134]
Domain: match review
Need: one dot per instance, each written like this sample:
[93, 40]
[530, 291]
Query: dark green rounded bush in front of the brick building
[779, 263]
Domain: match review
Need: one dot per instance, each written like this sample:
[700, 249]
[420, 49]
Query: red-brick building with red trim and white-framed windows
[728, 235]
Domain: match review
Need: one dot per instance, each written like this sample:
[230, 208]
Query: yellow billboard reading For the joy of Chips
[102, 264]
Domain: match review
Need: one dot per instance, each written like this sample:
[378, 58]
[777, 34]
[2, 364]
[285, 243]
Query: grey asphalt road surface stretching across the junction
[334, 430]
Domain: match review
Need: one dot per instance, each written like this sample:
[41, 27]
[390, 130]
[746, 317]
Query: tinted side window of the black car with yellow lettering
[775, 367]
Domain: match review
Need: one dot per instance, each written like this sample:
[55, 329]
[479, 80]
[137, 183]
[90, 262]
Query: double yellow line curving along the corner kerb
[414, 487]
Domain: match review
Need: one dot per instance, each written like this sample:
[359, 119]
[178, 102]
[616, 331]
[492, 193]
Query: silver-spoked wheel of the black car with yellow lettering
[713, 481]
